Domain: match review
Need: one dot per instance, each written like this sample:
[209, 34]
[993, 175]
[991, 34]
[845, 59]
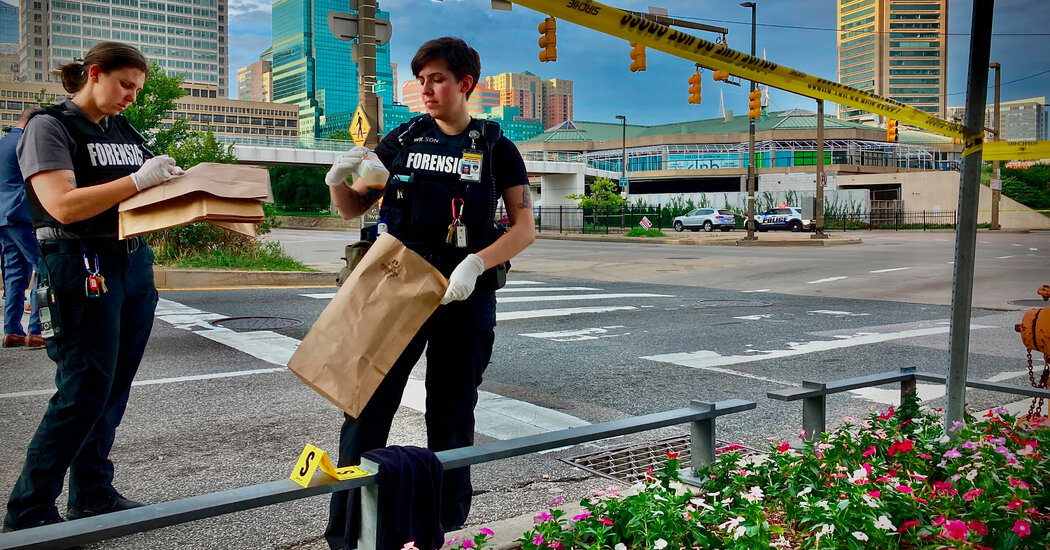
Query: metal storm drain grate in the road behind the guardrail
[628, 464]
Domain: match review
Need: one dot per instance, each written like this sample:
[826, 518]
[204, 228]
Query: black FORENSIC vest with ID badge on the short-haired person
[417, 207]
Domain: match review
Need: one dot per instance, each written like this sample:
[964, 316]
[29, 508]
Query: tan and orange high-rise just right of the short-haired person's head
[549, 101]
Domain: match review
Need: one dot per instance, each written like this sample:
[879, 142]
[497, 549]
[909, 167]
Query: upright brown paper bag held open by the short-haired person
[368, 325]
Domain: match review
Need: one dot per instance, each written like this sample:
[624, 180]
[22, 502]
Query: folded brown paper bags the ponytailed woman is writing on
[226, 196]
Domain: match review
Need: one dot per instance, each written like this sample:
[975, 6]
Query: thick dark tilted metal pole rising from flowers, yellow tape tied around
[967, 231]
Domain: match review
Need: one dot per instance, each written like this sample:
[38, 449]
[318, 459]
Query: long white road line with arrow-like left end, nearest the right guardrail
[709, 361]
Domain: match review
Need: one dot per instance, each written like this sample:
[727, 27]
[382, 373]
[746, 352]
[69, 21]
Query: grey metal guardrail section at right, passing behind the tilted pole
[814, 395]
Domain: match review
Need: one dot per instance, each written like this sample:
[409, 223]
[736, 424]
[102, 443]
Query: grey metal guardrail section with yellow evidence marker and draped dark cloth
[700, 415]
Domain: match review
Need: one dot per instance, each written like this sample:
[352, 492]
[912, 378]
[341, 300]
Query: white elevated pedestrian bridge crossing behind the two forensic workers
[560, 174]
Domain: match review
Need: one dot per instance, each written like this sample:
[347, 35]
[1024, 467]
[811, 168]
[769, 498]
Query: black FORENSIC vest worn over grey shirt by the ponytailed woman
[101, 156]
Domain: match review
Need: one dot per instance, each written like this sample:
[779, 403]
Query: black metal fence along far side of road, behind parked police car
[623, 220]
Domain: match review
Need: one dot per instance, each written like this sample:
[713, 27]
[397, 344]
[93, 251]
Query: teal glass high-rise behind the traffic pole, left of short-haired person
[313, 69]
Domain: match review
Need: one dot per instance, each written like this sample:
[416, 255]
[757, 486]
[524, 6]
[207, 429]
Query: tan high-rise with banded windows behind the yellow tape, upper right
[895, 49]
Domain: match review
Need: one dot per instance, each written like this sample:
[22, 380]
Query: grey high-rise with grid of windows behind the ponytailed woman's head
[187, 37]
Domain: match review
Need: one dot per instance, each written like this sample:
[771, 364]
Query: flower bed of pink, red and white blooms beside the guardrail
[891, 482]
